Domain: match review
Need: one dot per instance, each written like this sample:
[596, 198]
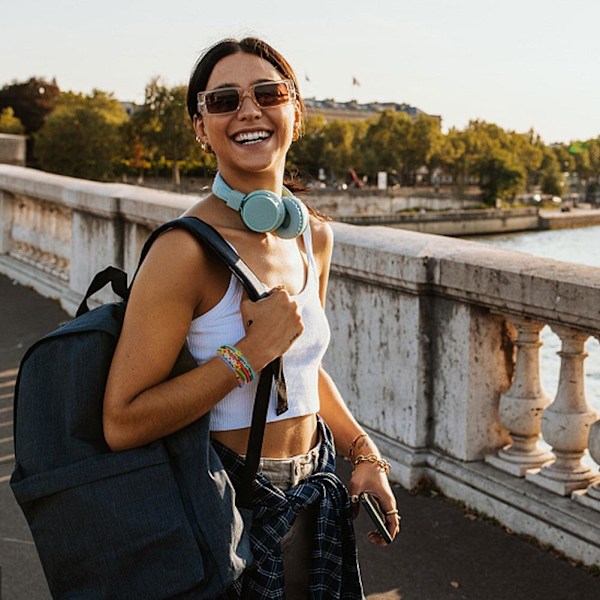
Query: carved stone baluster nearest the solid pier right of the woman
[521, 407]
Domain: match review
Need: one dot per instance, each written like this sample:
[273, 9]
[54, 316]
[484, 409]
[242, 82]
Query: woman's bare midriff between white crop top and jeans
[283, 439]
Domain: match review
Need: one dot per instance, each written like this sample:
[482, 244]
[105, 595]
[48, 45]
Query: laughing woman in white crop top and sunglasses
[245, 105]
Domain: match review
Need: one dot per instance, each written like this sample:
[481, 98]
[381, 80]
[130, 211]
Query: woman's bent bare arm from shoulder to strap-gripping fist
[140, 404]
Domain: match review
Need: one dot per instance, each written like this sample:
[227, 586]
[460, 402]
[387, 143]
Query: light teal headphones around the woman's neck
[263, 210]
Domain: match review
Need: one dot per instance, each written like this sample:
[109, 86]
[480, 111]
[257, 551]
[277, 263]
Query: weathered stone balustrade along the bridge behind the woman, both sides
[435, 346]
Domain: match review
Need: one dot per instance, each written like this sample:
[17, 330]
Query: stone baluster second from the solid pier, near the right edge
[566, 422]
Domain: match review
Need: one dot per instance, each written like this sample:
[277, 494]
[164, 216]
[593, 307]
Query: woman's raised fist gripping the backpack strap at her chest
[272, 325]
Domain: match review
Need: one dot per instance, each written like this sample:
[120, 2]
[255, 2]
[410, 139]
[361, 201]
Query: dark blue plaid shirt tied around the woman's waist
[334, 571]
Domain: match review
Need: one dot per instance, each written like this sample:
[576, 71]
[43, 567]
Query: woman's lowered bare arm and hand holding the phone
[350, 438]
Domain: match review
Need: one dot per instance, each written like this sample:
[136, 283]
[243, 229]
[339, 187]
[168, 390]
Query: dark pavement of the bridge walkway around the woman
[442, 553]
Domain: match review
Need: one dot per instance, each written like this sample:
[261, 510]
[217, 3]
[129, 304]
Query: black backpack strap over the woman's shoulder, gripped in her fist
[206, 234]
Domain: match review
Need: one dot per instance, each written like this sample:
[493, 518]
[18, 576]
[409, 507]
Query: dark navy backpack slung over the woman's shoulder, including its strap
[154, 522]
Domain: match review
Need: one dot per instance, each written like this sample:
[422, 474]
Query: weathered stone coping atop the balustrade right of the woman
[503, 280]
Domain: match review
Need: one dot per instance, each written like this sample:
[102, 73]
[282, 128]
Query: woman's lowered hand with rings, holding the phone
[370, 478]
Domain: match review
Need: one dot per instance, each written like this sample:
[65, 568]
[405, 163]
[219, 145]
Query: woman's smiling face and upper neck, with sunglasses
[246, 104]
